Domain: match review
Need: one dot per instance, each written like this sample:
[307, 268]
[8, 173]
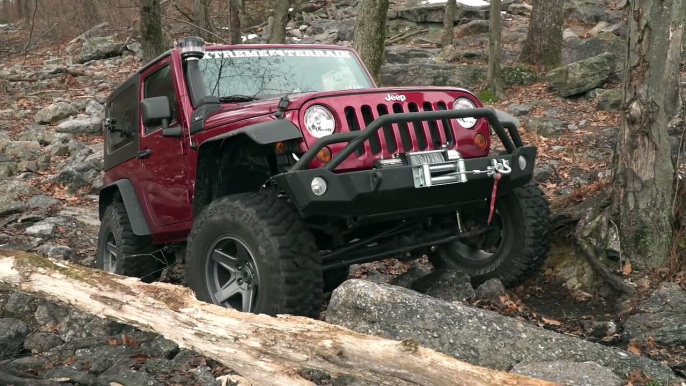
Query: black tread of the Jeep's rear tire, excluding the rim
[138, 258]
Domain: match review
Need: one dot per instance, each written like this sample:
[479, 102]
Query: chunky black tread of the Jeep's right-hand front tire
[524, 263]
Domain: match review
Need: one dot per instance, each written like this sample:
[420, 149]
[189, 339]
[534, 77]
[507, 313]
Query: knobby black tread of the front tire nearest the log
[294, 256]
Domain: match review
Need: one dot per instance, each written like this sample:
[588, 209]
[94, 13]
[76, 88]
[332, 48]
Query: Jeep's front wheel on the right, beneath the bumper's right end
[517, 252]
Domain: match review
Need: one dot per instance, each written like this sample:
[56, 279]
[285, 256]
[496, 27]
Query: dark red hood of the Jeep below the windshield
[233, 112]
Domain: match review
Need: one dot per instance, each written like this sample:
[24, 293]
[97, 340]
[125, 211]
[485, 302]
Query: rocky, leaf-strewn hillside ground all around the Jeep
[51, 107]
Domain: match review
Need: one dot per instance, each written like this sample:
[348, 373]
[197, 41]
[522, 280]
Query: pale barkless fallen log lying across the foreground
[265, 350]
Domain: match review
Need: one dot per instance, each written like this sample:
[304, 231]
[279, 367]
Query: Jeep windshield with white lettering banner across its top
[245, 74]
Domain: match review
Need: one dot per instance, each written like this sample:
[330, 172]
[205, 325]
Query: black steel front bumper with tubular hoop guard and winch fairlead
[402, 190]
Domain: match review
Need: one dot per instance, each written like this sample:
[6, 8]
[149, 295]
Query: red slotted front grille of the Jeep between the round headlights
[402, 137]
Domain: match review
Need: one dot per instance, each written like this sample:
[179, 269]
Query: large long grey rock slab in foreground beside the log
[473, 335]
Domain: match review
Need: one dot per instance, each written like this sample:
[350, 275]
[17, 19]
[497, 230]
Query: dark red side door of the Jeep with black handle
[163, 161]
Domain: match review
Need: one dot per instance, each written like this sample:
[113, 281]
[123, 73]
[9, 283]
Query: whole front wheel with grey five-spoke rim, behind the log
[252, 253]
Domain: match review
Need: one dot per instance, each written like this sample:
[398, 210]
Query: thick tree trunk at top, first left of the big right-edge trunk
[543, 45]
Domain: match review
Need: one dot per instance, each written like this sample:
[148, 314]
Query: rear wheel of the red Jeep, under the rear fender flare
[121, 252]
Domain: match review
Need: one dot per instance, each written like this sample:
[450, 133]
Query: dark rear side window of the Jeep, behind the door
[124, 111]
